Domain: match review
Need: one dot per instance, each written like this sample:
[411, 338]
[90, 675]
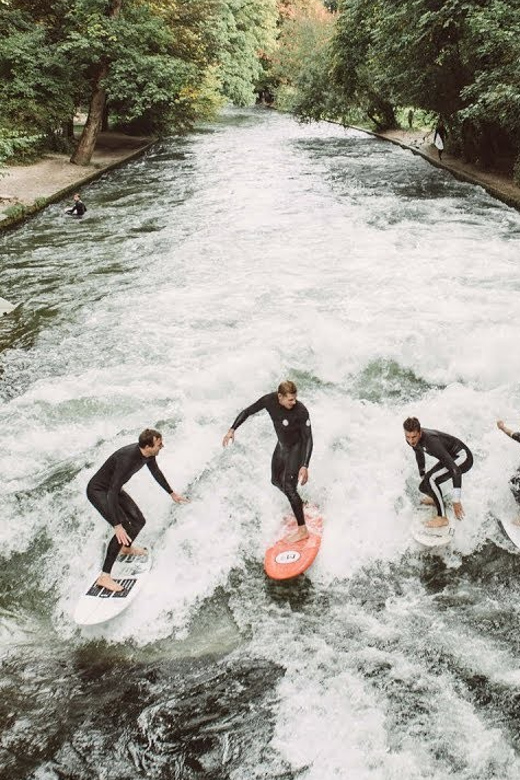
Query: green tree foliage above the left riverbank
[167, 63]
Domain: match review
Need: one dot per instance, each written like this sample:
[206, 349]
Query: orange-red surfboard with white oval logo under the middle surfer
[284, 559]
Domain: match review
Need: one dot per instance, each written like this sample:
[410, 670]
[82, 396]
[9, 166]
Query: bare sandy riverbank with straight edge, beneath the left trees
[26, 189]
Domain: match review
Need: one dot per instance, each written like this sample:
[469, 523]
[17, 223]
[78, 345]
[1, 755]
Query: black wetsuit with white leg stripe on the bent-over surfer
[454, 458]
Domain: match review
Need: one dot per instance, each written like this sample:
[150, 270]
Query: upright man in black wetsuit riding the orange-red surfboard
[290, 462]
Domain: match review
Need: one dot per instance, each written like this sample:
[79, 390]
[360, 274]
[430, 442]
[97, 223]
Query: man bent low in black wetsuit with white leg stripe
[454, 459]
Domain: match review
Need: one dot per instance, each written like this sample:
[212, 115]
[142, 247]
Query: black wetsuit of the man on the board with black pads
[105, 492]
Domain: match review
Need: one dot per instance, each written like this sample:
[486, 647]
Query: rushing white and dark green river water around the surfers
[220, 263]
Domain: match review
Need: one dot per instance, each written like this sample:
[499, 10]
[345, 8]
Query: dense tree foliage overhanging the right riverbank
[458, 59]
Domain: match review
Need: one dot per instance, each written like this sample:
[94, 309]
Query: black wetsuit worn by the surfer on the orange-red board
[294, 447]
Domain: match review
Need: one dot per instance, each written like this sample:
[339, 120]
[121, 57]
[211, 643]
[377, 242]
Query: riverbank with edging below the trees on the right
[420, 142]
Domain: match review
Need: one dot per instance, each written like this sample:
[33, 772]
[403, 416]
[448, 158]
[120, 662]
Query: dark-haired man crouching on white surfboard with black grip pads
[105, 492]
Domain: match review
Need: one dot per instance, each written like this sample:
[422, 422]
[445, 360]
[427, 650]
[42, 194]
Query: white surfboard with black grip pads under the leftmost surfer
[97, 605]
